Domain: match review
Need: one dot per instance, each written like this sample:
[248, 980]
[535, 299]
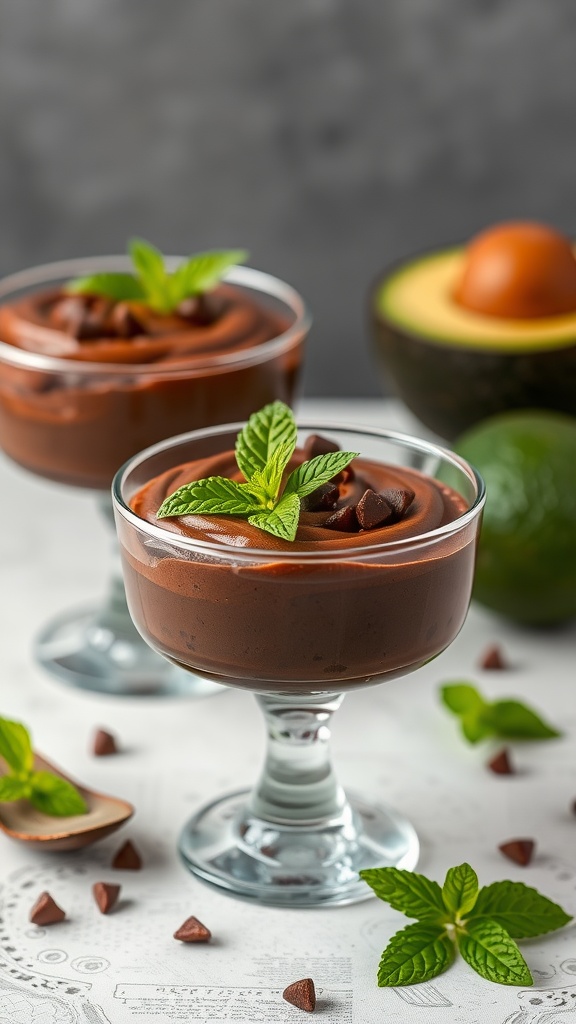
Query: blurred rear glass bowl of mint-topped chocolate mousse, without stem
[95, 370]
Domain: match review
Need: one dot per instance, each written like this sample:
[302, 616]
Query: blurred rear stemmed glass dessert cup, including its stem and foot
[75, 422]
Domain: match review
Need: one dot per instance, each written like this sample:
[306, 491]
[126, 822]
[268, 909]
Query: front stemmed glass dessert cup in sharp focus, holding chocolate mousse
[299, 628]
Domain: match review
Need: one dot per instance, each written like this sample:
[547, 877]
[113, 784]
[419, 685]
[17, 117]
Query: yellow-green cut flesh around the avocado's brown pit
[418, 298]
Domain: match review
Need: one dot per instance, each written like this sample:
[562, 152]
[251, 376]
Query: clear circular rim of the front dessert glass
[325, 556]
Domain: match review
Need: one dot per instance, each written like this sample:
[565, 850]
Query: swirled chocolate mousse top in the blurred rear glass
[227, 321]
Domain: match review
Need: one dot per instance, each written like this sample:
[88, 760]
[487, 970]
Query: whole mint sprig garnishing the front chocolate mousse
[264, 449]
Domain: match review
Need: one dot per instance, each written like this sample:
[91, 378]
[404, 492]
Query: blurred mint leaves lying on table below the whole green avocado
[481, 719]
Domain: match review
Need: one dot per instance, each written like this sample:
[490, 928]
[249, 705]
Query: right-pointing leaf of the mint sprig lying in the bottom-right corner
[523, 912]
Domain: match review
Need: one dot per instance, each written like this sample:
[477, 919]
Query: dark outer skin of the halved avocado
[449, 389]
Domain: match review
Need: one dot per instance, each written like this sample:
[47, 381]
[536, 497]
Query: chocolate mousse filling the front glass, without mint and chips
[301, 624]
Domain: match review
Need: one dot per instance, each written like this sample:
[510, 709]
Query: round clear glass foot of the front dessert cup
[300, 866]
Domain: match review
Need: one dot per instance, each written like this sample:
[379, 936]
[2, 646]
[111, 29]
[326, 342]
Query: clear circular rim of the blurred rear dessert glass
[244, 277]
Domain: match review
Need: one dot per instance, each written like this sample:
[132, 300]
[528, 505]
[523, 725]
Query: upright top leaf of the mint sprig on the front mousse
[266, 432]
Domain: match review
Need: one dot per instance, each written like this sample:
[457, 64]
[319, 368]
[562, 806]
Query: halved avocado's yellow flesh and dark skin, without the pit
[454, 367]
